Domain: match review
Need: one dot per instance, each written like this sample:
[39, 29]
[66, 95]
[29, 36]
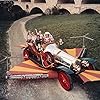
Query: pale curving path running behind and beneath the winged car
[46, 89]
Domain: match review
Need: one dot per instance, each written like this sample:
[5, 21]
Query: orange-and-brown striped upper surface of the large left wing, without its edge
[27, 67]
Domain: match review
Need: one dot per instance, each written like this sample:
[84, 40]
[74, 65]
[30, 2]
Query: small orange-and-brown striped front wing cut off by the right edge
[90, 75]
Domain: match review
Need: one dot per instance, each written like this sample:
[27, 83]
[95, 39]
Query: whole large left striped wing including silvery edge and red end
[29, 68]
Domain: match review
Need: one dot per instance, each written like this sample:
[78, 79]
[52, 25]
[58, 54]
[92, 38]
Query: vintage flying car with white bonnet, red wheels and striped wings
[65, 64]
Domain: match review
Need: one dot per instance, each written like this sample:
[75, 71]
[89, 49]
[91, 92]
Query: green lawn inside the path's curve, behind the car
[62, 26]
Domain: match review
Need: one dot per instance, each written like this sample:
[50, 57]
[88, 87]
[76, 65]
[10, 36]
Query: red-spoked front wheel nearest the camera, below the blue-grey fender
[65, 80]
